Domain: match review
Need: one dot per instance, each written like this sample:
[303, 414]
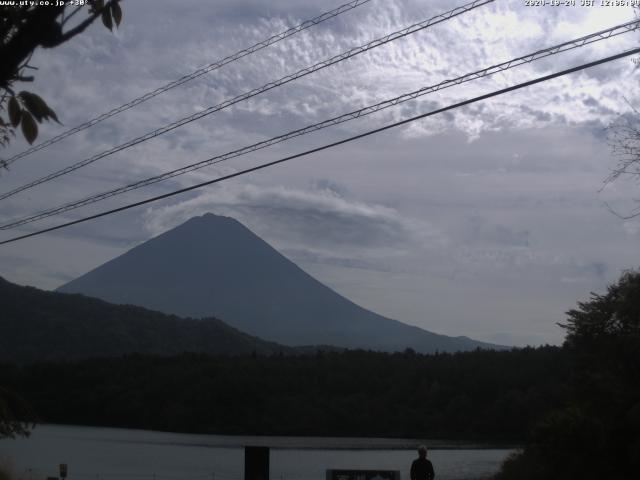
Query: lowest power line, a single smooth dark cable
[330, 145]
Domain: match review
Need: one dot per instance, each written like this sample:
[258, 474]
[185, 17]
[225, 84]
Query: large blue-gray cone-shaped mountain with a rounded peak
[214, 266]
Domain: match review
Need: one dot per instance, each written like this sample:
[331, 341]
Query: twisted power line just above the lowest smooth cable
[543, 53]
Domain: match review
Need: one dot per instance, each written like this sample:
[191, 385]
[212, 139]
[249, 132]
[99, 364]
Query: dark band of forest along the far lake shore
[481, 395]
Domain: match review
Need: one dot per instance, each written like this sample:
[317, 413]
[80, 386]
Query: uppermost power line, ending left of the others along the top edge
[193, 75]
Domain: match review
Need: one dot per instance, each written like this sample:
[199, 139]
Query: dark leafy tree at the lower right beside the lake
[597, 434]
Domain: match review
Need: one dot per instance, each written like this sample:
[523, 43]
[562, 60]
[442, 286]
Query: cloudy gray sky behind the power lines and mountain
[488, 221]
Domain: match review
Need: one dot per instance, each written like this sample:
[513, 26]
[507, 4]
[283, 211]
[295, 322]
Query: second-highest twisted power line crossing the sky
[245, 96]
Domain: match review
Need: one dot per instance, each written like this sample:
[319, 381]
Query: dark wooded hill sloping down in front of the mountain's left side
[37, 326]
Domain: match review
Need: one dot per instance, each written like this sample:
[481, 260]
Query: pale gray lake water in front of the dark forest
[118, 454]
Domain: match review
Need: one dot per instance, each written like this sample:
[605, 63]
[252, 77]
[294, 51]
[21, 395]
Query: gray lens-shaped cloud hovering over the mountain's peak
[319, 217]
